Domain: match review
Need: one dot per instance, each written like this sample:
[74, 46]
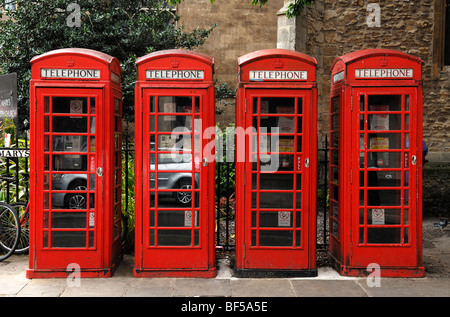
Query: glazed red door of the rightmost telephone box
[387, 160]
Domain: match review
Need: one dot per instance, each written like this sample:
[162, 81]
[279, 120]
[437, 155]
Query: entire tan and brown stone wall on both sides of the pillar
[327, 29]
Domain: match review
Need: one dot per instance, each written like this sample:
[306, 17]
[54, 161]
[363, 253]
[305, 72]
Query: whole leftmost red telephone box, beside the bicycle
[75, 164]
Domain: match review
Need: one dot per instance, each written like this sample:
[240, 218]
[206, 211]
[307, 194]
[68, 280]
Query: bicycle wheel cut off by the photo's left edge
[9, 230]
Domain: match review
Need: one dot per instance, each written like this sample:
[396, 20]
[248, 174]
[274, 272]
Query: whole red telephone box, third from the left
[276, 114]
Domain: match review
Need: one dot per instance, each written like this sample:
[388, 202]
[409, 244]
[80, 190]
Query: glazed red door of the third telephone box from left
[277, 176]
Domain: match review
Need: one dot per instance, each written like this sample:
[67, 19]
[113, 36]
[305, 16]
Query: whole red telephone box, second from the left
[175, 169]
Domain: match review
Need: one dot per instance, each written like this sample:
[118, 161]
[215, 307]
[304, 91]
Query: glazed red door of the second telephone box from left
[175, 218]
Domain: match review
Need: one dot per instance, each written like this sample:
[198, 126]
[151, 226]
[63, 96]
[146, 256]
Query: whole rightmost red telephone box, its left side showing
[376, 163]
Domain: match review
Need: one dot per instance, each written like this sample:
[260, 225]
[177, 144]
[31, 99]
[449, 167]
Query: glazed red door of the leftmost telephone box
[68, 213]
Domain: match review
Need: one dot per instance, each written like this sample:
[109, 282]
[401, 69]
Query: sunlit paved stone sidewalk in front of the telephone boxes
[328, 283]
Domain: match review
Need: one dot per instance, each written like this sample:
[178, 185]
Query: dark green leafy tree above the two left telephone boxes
[125, 29]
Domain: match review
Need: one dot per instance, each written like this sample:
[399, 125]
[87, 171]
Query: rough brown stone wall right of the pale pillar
[332, 28]
